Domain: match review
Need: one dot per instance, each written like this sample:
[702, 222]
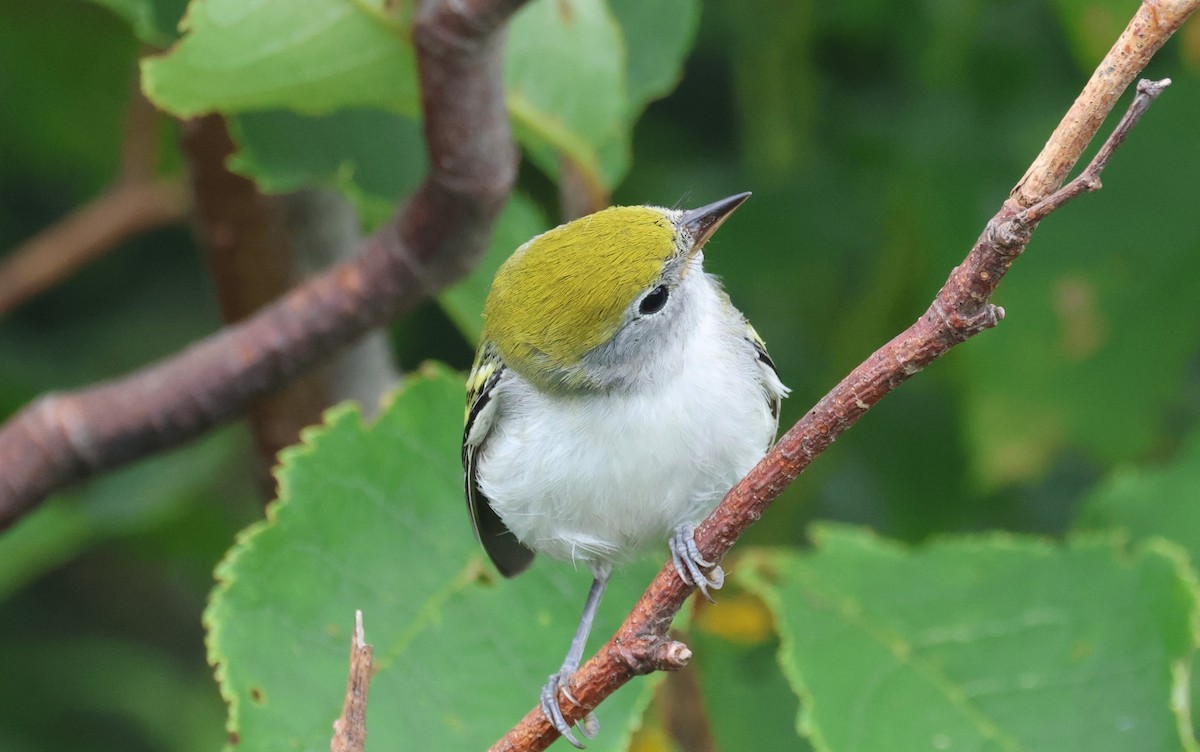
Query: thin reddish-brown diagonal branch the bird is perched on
[961, 310]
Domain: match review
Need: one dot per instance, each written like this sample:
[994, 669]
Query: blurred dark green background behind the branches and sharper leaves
[878, 139]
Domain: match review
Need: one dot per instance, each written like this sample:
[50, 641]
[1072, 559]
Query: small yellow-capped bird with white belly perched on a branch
[616, 396]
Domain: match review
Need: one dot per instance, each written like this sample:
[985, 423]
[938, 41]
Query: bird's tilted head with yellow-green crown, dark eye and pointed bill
[577, 308]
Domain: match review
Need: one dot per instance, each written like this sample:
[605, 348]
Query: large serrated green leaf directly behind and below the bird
[373, 519]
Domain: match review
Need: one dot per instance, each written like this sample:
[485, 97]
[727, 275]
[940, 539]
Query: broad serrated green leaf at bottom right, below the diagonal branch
[986, 643]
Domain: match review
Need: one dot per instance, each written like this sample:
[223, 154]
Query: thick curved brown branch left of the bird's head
[435, 240]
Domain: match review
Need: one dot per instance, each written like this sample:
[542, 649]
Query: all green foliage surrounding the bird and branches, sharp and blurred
[878, 139]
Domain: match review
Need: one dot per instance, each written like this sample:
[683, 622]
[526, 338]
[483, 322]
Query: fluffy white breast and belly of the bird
[601, 478]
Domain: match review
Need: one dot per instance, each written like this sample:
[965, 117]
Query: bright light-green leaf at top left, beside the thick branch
[313, 57]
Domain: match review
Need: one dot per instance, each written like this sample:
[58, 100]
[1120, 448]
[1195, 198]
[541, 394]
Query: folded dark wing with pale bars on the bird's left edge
[507, 552]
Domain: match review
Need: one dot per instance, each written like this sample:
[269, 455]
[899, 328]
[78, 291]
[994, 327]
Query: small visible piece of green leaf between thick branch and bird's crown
[520, 221]
